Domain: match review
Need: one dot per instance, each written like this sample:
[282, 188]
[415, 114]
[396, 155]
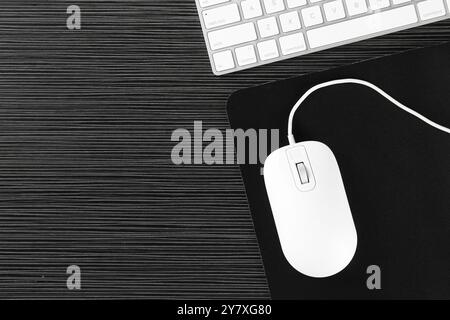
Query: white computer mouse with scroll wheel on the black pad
[310, 208]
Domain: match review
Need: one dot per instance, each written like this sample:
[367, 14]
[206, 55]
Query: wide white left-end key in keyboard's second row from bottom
[232, 36]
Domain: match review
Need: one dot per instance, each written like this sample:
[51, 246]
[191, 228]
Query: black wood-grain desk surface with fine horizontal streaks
[86, 176]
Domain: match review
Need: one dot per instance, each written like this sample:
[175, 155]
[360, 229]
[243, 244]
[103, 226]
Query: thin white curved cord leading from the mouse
[364, 83]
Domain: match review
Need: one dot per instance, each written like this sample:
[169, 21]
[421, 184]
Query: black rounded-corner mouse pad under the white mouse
[396, 171]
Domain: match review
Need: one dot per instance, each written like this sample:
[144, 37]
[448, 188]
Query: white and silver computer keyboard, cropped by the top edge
[242, 34]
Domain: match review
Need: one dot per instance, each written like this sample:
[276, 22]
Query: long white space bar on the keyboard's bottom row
[362, 26]
